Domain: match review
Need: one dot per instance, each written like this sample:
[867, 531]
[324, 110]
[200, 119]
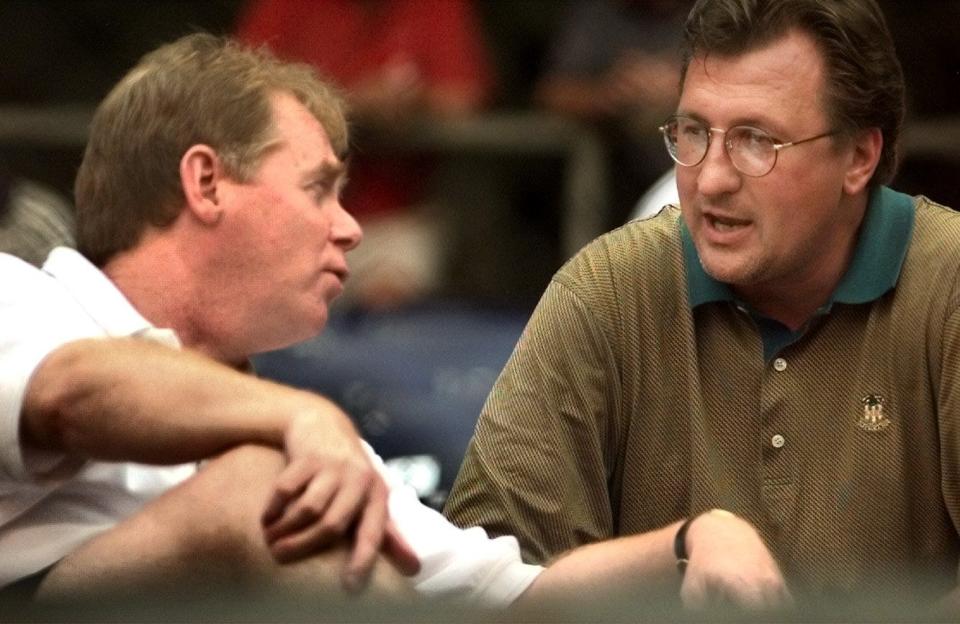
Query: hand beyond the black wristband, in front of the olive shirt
[729, 564]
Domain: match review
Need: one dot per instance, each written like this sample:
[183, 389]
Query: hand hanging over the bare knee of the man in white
[328, 489]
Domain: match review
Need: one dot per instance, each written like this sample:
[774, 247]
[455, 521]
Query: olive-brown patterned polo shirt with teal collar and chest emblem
[632, 400]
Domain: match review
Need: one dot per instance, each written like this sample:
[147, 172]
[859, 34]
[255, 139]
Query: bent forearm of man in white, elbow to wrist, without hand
[123, 399]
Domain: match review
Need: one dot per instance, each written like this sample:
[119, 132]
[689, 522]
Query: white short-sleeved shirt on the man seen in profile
[48, 506]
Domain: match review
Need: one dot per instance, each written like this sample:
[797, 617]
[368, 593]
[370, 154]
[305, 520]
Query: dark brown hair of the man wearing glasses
[864, 81]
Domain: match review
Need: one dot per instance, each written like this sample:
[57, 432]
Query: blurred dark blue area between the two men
[414, 380]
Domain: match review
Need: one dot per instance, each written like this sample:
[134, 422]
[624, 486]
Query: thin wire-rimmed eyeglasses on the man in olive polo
[751, 150]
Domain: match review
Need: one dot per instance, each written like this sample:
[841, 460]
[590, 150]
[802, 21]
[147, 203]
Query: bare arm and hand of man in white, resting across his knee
[130, 400]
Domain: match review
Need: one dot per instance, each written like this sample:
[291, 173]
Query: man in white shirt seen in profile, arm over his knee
[137, 453]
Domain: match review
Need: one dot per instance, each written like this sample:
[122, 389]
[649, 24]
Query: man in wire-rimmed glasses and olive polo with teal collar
[761, 386]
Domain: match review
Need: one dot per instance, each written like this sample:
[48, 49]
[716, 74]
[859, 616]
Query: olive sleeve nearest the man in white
[540, 460]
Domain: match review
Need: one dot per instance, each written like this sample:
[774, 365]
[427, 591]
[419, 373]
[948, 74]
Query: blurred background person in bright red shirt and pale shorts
[399, 62]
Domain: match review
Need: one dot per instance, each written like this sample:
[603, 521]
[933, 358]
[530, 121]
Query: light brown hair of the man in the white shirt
[200, 89]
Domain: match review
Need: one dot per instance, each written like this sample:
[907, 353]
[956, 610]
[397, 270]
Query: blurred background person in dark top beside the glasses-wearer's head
[614, 64]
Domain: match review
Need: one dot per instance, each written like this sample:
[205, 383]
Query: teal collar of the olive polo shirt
[875, 268]
